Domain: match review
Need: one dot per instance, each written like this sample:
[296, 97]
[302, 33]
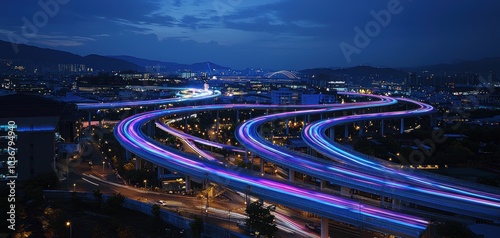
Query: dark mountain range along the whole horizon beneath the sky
[41, 56]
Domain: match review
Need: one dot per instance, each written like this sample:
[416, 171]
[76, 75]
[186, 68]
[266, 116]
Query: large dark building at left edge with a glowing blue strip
[40, 123]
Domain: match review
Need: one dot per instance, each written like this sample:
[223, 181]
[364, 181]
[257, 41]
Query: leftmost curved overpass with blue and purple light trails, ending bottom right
[129, 134]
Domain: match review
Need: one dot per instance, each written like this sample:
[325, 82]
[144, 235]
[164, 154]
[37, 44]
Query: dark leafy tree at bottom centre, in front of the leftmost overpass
[260, 219]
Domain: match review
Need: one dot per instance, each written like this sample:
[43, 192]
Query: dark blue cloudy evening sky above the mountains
[273, 34]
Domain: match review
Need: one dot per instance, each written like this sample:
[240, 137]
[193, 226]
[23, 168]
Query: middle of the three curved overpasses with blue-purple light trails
[383, 181]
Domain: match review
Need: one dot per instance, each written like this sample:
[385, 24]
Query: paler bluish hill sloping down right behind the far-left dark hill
[171, 66]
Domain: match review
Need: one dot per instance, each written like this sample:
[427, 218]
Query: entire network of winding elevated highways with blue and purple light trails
[373, 176]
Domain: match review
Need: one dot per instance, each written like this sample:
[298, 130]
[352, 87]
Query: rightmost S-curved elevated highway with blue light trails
[314, 135]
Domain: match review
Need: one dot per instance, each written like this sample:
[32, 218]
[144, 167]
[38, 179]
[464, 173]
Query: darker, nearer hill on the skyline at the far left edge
[43, 56]
